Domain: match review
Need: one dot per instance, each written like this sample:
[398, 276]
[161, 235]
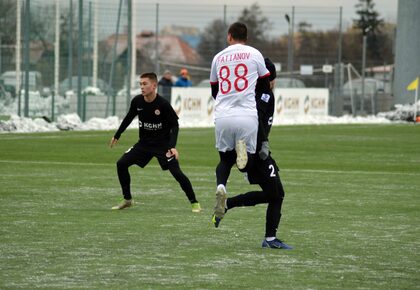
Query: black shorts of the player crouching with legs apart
[141, 156]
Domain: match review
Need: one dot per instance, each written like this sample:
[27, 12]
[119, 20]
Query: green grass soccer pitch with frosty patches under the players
[352, 212]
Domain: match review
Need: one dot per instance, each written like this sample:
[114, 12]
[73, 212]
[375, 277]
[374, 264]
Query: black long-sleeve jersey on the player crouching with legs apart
[158, 123]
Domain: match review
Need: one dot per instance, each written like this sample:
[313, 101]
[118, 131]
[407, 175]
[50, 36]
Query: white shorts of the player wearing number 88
[229, 130]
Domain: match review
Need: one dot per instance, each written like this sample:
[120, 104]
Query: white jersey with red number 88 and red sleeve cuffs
[236, 69]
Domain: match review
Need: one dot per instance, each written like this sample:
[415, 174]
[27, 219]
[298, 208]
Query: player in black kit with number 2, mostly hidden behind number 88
[264, 172]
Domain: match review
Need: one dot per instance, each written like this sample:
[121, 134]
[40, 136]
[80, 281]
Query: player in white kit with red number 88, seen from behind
[233, 77]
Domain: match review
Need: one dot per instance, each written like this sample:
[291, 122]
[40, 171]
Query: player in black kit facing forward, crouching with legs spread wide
[158, 133]
